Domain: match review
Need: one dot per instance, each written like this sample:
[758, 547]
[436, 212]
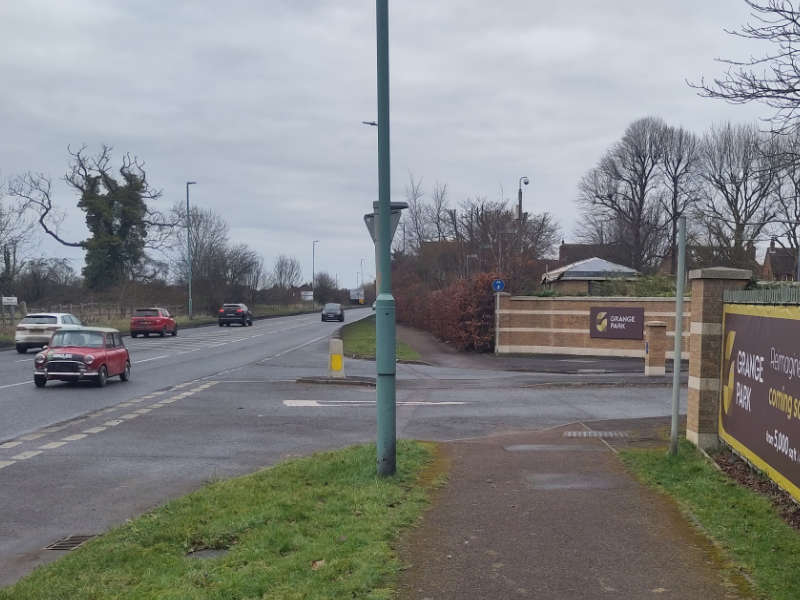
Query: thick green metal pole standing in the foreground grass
[384, 305]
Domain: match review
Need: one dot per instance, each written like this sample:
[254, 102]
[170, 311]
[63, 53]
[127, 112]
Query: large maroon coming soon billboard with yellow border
[759, 413]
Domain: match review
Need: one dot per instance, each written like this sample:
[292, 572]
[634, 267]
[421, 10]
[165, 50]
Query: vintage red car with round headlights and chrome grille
[83, 354]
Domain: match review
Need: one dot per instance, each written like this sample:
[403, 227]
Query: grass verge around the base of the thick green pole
[320, 527]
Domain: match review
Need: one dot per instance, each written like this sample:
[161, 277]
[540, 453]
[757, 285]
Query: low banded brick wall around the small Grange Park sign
[533, 325]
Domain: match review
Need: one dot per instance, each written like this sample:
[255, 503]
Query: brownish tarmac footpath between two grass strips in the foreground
[549, 516]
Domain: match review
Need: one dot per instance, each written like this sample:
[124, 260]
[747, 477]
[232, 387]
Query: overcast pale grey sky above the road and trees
[261, 101]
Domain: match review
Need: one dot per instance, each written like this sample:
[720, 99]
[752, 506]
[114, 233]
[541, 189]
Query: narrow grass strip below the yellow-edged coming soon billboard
[742, 522]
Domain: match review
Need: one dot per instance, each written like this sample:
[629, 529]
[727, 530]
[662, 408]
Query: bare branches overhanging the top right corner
[774, 78]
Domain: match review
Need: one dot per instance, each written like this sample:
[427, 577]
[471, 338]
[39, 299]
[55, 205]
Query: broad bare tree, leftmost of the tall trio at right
[624, 187]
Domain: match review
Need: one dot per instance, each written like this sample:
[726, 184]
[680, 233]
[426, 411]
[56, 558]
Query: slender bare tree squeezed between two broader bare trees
[679, 166]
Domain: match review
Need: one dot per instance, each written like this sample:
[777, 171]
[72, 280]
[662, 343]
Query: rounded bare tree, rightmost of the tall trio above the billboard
[740, 169]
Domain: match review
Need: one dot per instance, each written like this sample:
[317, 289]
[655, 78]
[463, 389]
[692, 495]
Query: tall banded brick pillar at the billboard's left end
[706, 347]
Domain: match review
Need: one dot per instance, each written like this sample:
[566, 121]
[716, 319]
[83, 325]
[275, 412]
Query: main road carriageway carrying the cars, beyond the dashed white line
[157, 363]
